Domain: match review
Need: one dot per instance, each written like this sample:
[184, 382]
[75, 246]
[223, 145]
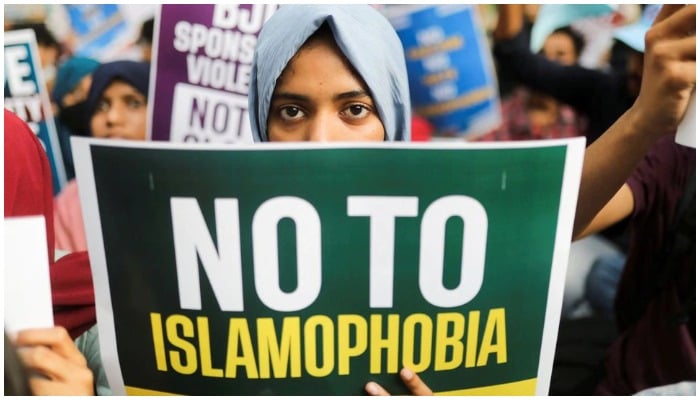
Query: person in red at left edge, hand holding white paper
[50, 351]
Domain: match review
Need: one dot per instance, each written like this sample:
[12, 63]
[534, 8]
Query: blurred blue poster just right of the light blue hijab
[450, 69]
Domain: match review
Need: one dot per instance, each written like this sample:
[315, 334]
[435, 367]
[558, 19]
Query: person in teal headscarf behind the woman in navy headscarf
[70, 97]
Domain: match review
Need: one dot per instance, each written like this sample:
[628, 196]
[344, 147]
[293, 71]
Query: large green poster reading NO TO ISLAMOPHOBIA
[272, 269]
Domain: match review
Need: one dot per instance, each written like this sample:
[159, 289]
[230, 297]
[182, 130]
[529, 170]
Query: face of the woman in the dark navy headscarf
[120, 113]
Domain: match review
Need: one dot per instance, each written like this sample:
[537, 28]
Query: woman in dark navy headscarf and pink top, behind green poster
[117, 106]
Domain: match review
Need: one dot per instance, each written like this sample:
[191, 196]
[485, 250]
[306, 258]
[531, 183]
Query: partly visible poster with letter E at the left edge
[26, 95]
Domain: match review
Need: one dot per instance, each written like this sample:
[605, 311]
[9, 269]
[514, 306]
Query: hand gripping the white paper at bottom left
[56, 367]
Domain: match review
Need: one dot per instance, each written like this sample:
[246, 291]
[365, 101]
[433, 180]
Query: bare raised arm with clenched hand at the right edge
[668, 80]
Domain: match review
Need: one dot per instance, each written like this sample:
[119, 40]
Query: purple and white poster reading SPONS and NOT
[203, 59]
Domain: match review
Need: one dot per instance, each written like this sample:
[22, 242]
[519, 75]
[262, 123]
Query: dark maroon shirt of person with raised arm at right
[651, 349]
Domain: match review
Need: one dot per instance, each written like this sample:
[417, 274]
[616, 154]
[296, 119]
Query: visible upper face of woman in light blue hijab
[320, 98]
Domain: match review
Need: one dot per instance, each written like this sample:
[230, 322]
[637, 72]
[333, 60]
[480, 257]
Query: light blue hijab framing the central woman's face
[366, 38]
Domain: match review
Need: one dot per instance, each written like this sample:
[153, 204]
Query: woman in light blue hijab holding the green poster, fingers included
[336, 74]
